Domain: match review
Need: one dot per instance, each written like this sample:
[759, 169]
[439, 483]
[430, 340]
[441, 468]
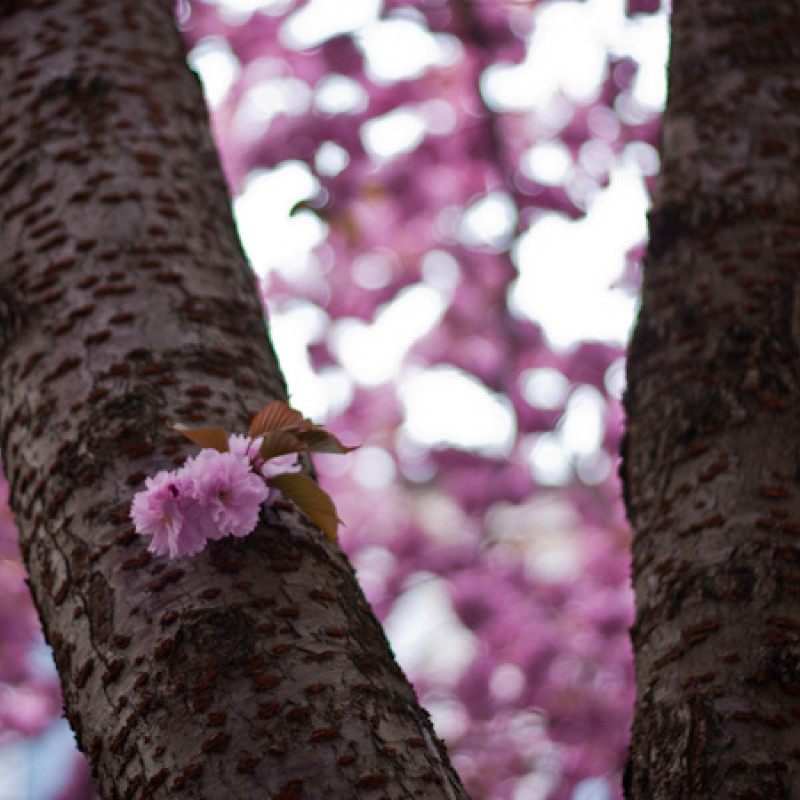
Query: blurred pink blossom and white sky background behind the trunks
[445, 201]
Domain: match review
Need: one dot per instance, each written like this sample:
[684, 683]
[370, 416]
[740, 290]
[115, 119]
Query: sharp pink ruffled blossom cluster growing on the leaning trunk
[213, 495]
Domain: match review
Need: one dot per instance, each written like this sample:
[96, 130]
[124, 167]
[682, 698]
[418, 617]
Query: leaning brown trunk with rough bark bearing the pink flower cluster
[256, 669]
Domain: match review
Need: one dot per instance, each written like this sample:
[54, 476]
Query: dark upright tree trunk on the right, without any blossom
[712, 464]
